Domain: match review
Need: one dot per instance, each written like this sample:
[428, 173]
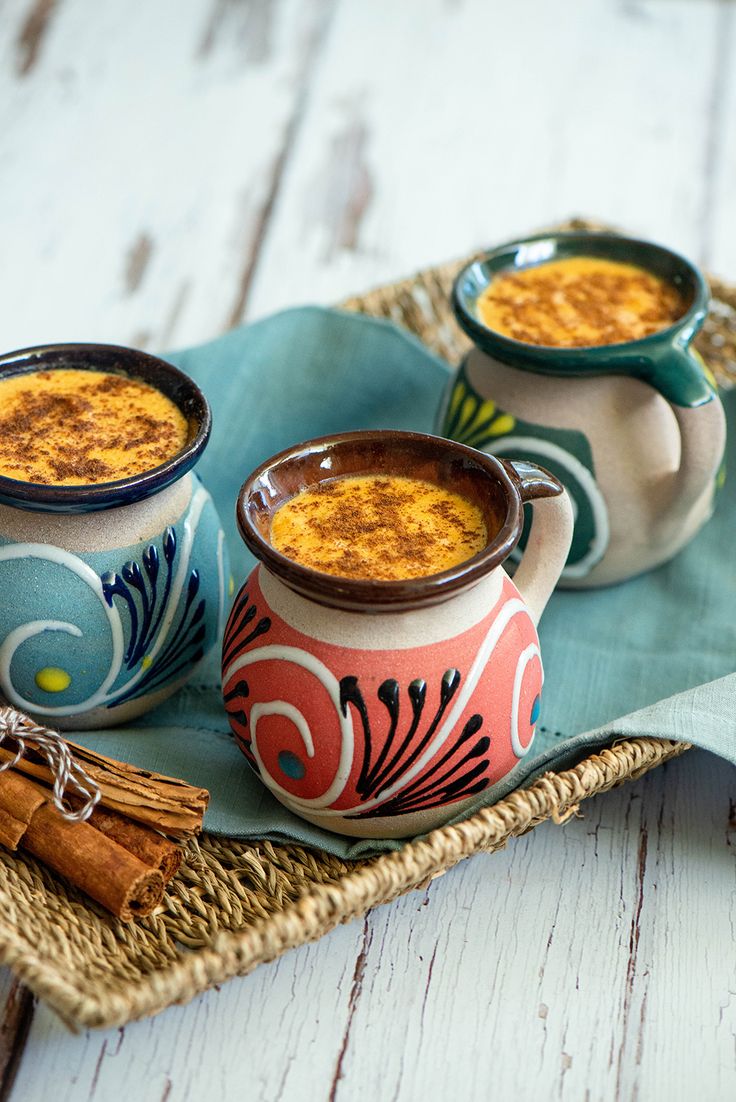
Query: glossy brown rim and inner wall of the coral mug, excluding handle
[479, 478]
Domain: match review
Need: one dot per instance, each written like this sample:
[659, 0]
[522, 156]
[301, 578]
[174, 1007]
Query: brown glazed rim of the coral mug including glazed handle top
[377, 596]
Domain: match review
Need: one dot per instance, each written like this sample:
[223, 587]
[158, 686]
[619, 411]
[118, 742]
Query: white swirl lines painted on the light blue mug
[102, 696]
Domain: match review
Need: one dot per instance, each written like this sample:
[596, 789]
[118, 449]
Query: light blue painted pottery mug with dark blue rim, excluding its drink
[111, 595]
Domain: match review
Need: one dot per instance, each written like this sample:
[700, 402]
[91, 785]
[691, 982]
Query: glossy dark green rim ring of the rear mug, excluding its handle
[533, 252]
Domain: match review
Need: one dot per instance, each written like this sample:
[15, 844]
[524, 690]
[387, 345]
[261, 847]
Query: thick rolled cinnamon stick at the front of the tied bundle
[93, 862]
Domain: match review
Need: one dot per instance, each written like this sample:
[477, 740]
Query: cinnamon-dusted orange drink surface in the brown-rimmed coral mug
[378, 527]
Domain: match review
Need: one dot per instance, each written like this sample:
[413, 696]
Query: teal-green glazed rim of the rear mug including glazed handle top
[664, 360]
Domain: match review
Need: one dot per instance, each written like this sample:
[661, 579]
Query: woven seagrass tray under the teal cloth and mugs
[235, 905]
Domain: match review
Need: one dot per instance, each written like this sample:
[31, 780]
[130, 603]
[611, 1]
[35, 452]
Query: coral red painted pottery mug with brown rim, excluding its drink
[383, 708]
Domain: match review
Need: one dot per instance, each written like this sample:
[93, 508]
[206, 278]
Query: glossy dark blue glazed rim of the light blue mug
[120, 361]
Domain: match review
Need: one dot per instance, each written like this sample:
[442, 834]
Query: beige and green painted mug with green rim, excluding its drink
[635, 431]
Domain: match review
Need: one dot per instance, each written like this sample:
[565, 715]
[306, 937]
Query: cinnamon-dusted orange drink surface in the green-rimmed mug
[579, 302]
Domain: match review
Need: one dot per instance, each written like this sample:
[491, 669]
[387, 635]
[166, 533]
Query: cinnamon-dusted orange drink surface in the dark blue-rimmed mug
[71, 428]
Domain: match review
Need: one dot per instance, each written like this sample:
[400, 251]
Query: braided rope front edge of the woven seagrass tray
[374, 882]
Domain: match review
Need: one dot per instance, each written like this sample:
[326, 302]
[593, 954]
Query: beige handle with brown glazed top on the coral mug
[550, 537]
